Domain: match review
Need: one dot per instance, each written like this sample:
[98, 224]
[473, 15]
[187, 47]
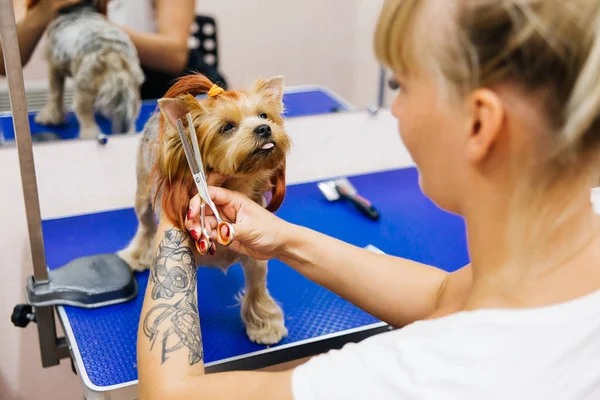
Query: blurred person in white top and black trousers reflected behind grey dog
[159, 30]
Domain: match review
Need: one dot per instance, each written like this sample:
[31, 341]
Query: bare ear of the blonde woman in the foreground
[485, 124]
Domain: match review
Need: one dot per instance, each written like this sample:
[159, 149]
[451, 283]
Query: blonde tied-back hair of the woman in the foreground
[551, 49]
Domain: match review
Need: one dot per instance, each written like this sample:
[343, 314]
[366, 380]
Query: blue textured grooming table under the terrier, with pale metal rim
[103, 341]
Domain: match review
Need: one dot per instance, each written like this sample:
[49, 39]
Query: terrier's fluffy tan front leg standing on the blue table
[262, 317]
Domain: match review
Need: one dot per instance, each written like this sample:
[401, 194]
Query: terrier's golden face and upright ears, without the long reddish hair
[239, 133]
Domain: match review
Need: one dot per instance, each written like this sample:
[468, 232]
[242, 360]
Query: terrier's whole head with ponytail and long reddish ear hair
[240, 133]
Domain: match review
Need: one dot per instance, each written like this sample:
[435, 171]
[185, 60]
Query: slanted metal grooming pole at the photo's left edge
[52, 348]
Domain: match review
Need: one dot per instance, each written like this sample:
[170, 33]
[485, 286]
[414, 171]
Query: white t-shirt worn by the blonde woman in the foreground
[547, 353]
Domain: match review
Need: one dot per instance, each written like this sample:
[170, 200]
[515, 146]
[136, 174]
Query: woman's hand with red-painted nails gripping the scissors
[258, 233]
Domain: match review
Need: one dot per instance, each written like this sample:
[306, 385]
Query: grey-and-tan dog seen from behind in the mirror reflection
[103, 62]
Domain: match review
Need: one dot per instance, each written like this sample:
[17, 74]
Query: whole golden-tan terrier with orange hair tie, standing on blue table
[241, 136]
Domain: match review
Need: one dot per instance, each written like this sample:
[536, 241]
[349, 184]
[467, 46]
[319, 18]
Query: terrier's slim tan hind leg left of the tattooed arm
[139, 252]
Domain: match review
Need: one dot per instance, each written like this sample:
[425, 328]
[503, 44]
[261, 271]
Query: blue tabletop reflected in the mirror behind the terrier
[299, 101]
